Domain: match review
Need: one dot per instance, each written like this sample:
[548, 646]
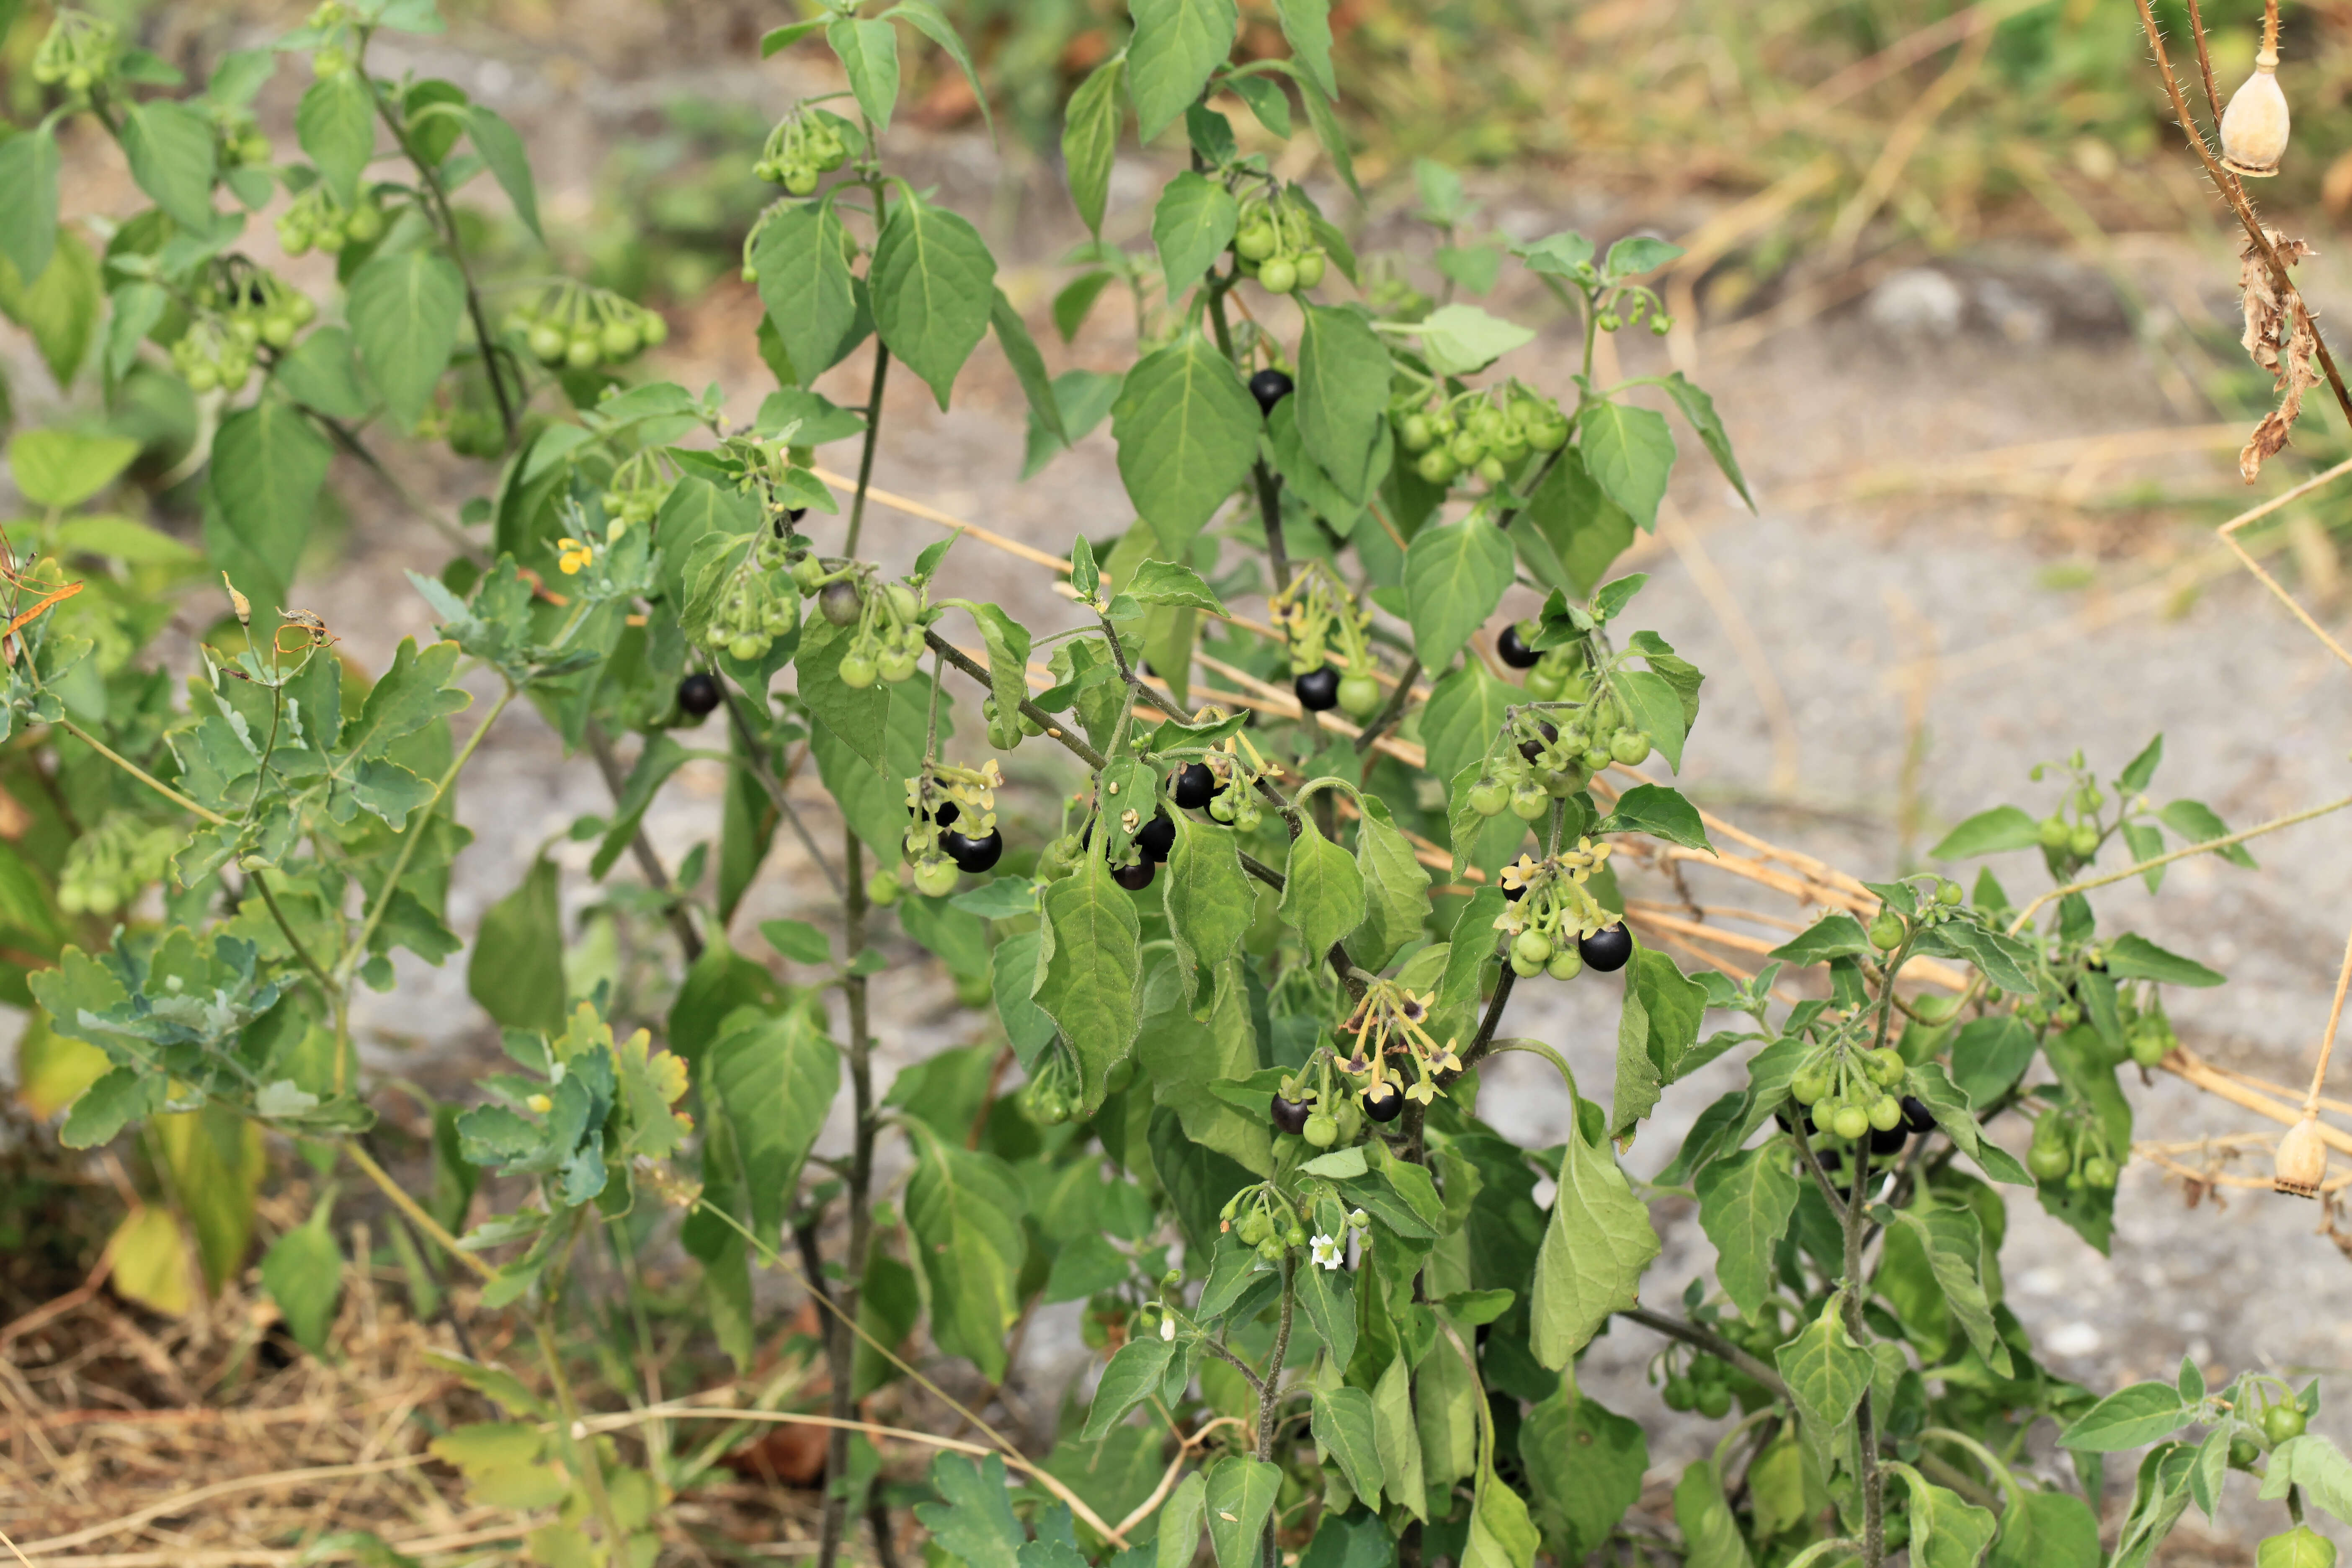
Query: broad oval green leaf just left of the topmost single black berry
[1189, 434]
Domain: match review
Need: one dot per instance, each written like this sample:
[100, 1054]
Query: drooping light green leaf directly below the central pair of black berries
[1090, 974]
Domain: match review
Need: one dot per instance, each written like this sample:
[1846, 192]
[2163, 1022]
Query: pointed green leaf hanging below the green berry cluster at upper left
[267, 471]
